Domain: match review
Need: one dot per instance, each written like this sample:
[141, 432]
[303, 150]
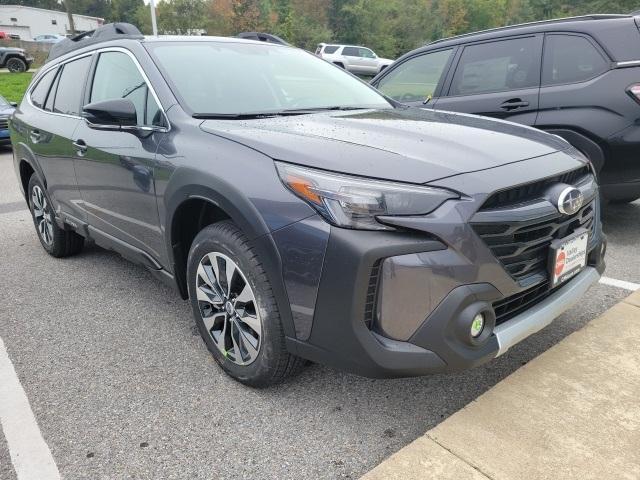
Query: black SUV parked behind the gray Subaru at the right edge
[577, 77]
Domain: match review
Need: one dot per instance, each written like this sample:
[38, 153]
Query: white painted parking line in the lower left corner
[30, 454]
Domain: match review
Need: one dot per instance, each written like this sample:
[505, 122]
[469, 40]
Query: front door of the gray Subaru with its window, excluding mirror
[115, 169]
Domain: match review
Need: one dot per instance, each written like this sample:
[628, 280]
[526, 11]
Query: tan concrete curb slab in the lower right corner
[570, 413]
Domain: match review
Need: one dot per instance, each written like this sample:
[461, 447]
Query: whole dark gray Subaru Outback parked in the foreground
[303, 214]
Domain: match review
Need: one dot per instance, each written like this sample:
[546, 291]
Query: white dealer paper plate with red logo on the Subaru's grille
[568, 256]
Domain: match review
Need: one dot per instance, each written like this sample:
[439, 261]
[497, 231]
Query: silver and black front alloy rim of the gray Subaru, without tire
[228, 308]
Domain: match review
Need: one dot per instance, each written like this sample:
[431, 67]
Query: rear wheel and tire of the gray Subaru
[55, 240]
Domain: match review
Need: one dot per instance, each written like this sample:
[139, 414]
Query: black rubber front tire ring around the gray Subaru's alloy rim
[218, 238]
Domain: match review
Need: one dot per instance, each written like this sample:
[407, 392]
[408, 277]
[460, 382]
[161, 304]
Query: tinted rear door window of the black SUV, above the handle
[497, 66]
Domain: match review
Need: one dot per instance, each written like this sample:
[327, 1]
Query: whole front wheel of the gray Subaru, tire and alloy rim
[229, 316]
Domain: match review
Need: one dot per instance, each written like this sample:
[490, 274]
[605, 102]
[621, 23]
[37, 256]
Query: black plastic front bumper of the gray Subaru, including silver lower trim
[341, 336]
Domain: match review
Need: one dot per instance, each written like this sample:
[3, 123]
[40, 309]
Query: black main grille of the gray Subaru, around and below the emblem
[523, 247]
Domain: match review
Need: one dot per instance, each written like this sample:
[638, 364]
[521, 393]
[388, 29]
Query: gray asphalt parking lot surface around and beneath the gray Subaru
[122, 386]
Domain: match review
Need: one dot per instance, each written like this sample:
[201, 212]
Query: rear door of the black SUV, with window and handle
[500, 78]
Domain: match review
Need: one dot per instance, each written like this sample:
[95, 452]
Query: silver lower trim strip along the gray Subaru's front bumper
[538, 317]
